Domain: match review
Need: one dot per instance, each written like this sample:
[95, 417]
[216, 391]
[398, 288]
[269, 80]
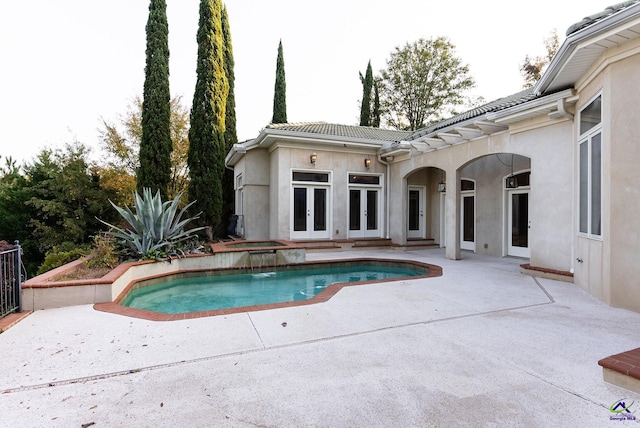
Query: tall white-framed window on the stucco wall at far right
[590, 169]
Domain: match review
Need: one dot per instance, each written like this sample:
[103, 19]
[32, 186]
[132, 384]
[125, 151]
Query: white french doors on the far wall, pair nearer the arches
[364, 213]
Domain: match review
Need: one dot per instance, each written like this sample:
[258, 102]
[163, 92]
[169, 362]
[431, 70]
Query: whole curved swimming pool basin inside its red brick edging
[235, 290]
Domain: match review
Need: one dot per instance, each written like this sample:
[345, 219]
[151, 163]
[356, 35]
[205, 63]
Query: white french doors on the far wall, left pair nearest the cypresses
[310, 212]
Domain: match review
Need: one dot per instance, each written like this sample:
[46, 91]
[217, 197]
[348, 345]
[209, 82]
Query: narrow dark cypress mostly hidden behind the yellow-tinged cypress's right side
[230, 133]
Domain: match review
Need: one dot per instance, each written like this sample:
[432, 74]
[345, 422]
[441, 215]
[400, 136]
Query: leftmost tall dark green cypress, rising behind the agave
[155, 144]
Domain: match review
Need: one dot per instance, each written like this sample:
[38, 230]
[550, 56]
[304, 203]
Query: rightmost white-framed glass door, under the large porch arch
[518, 232]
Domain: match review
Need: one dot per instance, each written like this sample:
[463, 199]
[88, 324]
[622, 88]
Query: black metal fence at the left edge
[10, 281]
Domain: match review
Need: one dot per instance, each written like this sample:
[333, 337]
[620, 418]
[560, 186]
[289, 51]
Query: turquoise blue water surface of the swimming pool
[211, 292]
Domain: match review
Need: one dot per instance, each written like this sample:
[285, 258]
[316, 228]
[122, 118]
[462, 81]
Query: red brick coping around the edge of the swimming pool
[326, 294]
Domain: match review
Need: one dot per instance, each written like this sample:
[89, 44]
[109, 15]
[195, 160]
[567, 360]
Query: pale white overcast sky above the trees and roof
[67, 64]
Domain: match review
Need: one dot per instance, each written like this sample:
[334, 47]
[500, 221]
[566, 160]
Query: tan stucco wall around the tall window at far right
[609, 268]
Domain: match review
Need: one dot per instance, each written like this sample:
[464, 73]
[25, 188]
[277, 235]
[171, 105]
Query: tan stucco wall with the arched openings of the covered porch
[543, 145]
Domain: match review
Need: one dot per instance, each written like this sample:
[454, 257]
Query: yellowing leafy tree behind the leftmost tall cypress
[121, 143]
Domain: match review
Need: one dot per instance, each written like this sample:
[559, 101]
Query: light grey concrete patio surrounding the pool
[481, 346]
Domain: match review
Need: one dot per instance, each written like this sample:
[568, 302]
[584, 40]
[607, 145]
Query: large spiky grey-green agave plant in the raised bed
[155, 226]
